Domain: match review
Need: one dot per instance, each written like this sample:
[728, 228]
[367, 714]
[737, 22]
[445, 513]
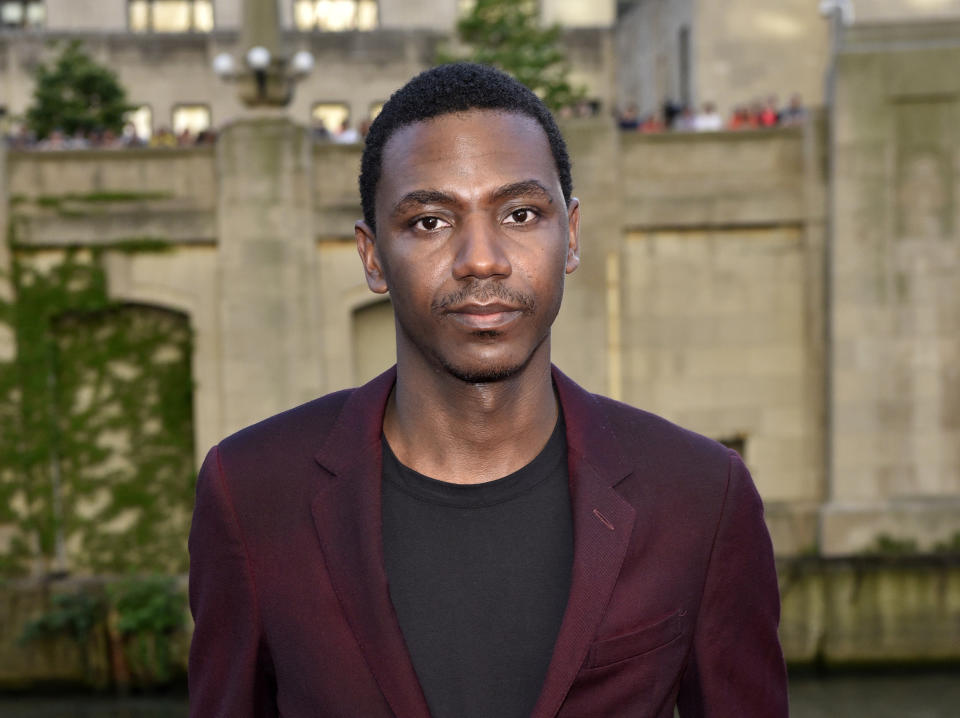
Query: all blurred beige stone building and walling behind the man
[794, 292]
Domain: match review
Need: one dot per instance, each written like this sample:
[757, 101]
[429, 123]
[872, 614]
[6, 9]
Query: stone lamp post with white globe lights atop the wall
[265, 75]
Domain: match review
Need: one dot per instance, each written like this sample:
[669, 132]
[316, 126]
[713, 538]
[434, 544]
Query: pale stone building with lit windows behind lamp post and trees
[162, 51]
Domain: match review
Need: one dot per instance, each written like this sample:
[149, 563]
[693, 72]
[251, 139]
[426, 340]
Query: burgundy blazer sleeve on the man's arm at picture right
[736, 665]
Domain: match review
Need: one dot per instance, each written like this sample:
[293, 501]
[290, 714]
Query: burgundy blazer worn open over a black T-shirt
[673, 597]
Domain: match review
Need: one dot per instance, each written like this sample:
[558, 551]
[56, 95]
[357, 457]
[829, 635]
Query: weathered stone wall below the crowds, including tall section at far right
[701, 294]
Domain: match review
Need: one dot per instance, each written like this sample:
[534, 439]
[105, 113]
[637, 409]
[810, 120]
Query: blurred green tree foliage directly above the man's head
[507, 34]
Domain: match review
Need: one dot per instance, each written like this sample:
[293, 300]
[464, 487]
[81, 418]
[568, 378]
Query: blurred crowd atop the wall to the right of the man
[683, 118]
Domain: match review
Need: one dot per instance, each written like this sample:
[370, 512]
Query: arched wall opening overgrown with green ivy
[123, 458]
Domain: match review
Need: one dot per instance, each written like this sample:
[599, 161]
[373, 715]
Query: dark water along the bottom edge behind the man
[935, 695]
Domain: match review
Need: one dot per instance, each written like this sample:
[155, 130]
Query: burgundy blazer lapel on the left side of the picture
[347, 515]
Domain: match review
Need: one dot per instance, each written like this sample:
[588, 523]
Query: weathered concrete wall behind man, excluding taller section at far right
[697, 296]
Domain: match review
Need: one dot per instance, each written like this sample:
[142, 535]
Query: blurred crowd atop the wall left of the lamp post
[23, 138]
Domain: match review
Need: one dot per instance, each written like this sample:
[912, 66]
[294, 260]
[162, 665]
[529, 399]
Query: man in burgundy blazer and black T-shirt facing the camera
[471, 533]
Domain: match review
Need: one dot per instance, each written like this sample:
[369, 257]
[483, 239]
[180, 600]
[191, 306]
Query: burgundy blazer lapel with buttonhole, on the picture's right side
[602, 526]
